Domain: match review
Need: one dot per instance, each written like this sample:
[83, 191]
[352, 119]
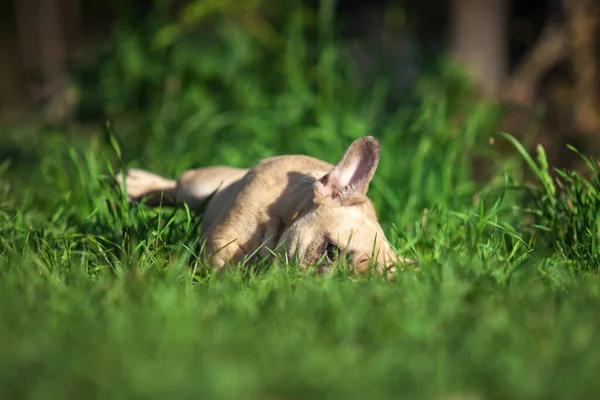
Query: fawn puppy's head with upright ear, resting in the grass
[342, 222]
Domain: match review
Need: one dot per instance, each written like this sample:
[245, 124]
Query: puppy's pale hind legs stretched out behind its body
[191, 188]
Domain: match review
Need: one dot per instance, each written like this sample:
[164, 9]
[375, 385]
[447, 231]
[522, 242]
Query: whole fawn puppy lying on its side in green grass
[294, 206]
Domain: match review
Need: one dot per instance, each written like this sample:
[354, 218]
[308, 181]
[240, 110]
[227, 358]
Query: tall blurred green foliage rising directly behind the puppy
[219, 84]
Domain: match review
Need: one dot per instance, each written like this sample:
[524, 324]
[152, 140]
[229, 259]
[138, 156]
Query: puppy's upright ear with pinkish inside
[352, 174]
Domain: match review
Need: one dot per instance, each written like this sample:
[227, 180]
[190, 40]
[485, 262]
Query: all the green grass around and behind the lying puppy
[97, 297]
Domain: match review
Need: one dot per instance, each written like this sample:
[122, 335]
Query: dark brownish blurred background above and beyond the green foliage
[539, 59]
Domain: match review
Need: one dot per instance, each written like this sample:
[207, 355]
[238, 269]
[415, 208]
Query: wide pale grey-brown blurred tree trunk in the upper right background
[479, 40]
